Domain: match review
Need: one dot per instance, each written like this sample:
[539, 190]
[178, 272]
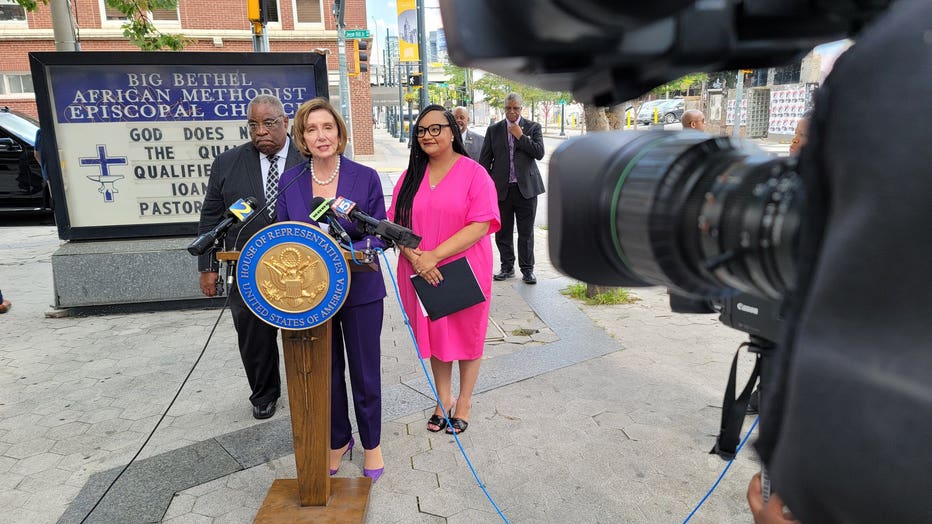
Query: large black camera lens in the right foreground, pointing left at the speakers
[701, 215]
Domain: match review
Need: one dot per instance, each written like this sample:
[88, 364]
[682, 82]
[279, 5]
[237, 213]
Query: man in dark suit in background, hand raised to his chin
[510, 153]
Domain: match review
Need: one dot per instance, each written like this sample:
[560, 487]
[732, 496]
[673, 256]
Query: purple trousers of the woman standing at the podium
[356, 331]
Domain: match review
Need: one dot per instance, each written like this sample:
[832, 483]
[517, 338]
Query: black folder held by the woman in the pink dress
[458, 290]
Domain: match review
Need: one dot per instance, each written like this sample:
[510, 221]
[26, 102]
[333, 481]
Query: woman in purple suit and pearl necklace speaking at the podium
[320, 134]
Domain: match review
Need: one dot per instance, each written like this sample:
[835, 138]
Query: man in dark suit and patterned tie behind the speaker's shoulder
[251, 169]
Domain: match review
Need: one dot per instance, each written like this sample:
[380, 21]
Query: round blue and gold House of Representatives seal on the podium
[292, 276]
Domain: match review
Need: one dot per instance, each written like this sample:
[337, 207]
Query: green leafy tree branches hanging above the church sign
[138, 28]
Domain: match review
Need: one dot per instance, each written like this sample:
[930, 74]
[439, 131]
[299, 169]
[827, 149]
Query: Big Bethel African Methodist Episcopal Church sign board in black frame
[135, 134]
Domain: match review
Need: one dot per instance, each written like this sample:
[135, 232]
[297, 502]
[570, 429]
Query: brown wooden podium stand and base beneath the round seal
[314, 496]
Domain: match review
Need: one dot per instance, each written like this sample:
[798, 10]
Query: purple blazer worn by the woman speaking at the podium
[358, 183]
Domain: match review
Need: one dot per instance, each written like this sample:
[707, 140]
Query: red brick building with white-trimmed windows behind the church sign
[212, 25]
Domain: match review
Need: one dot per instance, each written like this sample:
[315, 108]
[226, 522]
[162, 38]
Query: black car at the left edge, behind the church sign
[22, 188]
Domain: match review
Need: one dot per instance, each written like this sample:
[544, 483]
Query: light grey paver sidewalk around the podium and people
[605, 414]
